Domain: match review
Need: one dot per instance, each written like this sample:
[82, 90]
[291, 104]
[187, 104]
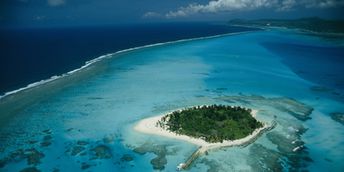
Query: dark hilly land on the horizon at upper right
[313, 25]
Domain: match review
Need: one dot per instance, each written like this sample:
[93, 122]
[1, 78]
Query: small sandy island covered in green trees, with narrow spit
[208, 126]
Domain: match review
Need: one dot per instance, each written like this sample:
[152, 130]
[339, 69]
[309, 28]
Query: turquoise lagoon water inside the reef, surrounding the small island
[84, 121]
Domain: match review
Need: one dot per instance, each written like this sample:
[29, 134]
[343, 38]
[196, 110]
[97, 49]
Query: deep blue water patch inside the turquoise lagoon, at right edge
[310, 63]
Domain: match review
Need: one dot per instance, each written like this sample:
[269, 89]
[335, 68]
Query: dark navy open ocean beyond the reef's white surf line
[31, 55]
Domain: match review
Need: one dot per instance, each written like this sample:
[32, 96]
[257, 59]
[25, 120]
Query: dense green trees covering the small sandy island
[214, 123]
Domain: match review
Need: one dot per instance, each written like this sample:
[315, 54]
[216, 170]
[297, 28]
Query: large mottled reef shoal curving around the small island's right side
[291, 153]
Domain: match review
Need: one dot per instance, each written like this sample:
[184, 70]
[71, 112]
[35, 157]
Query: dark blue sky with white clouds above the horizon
[31, 13]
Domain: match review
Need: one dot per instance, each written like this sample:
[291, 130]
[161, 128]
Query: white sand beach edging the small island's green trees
[148, 126]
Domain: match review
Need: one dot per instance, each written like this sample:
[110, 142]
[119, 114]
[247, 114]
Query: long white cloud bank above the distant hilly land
[215, 6]
